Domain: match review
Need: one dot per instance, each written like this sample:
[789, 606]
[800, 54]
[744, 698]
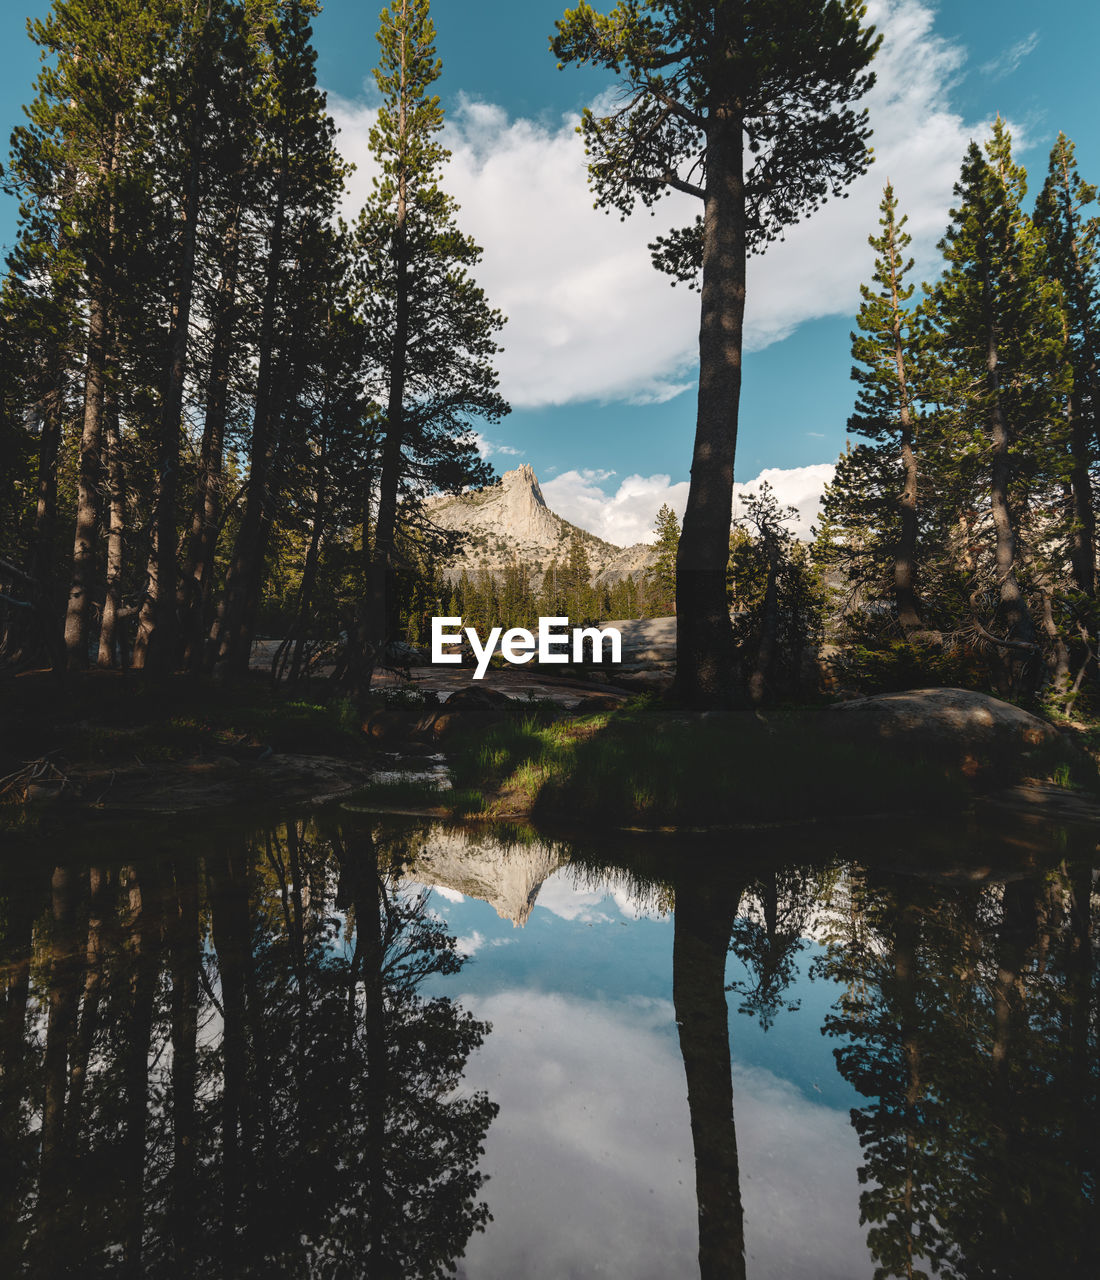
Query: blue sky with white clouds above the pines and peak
[600, 350]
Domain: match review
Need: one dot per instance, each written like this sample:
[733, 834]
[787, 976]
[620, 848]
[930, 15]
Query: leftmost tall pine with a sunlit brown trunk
[80, 163]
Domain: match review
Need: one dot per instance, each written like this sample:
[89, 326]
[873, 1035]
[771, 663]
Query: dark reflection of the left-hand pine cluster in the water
[235, 1073]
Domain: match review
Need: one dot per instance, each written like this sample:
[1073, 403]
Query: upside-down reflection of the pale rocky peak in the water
[506, 876]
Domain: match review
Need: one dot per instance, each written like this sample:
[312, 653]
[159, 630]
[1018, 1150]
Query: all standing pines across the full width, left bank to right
[223, 409]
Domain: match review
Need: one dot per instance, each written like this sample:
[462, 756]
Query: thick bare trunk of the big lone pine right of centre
[705, 638]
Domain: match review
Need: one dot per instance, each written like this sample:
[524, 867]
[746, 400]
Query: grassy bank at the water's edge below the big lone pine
[651, 769]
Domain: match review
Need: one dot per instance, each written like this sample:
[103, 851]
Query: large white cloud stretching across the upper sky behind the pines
[588, 317]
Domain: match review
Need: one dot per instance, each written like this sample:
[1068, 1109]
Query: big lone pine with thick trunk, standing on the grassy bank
[701, 81]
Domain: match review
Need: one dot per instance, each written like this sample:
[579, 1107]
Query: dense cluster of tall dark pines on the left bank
[218, 399]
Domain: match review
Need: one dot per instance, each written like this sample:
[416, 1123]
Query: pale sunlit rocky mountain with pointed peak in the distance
[512, 520]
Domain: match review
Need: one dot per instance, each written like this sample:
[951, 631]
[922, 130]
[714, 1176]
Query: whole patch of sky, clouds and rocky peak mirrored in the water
[582, 995]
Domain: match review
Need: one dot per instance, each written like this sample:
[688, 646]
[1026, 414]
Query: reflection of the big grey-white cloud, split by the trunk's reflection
[591, 1156]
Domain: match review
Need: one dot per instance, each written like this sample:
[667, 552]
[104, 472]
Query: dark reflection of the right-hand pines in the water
[970, 1022]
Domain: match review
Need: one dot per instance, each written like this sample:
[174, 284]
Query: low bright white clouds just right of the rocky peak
[627, 516]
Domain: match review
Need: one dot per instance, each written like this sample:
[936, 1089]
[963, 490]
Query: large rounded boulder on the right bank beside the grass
[971, 734]
